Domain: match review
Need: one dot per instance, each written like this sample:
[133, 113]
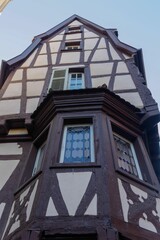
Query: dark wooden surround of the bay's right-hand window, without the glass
[148, 174]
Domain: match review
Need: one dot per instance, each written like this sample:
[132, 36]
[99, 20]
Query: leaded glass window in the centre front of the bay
[77, 146]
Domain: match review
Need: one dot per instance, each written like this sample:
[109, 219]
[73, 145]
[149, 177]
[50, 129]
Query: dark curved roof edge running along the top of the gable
[8, 66]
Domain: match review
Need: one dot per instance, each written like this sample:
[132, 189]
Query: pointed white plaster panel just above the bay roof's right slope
[133, 98]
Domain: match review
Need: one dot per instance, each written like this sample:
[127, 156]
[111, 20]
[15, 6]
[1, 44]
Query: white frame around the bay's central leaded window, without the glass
[63, 144]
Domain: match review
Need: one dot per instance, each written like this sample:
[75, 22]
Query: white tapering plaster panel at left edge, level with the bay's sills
[7, 167]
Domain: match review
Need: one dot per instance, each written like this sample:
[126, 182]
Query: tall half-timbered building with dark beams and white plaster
[79, 155]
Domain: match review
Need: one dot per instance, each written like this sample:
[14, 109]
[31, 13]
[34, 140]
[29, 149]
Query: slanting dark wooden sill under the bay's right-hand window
[135, 179]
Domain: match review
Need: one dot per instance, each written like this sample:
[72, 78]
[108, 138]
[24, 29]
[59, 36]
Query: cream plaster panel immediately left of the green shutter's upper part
[36, 73]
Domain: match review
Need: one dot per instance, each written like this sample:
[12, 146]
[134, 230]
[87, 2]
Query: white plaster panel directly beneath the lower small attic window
[70, 57]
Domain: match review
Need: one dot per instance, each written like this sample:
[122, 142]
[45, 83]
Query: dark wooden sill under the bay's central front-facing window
[75, 165]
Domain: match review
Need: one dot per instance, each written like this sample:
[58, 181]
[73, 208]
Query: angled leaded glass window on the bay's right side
[127, 159]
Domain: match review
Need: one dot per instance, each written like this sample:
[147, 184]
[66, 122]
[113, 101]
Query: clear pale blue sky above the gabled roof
[136, 21]
